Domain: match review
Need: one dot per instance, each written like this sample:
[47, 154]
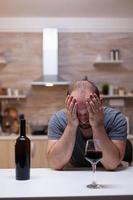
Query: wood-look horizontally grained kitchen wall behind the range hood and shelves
[77, 53]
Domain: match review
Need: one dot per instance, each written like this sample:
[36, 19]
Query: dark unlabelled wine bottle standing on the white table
[22, 153]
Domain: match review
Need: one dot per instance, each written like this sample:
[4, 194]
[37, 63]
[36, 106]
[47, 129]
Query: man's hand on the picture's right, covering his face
[95, 110]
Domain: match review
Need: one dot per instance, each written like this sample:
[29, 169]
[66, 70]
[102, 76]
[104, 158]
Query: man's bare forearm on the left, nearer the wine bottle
[61, 151]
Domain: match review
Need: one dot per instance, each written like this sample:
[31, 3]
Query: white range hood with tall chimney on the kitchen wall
[50, 75]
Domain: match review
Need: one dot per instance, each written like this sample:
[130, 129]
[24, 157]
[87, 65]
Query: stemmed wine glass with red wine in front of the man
[93, 154]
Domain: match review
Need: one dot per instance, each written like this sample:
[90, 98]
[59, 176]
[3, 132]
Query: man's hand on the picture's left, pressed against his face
[71, 107]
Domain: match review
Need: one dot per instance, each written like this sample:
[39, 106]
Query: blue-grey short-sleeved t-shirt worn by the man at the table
[114, 122]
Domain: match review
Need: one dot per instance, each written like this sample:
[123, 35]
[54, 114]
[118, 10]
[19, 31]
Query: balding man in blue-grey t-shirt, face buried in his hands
[85, 117]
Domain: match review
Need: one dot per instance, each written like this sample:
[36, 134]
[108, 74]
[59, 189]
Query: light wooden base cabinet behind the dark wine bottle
[38, 151]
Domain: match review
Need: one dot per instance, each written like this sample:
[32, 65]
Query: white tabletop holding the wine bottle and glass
[49, 184]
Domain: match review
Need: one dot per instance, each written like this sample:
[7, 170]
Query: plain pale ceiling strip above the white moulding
[66, 8]
